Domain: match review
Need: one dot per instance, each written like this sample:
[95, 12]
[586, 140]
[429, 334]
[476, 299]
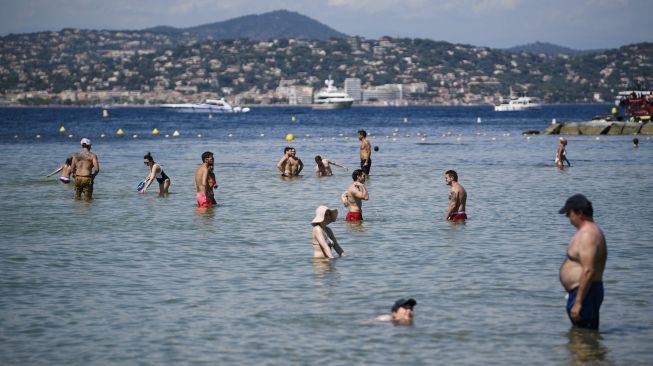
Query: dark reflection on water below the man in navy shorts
[585, 347]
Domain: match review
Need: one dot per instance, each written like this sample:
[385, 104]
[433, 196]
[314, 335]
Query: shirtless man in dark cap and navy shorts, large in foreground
[581, 274]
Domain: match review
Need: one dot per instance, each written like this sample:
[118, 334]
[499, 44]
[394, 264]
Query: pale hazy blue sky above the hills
[581, 24]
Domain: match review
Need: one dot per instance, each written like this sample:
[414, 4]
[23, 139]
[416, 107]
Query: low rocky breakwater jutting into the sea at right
[600, 128]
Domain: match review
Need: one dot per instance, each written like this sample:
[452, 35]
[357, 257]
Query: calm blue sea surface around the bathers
[148, 280]
